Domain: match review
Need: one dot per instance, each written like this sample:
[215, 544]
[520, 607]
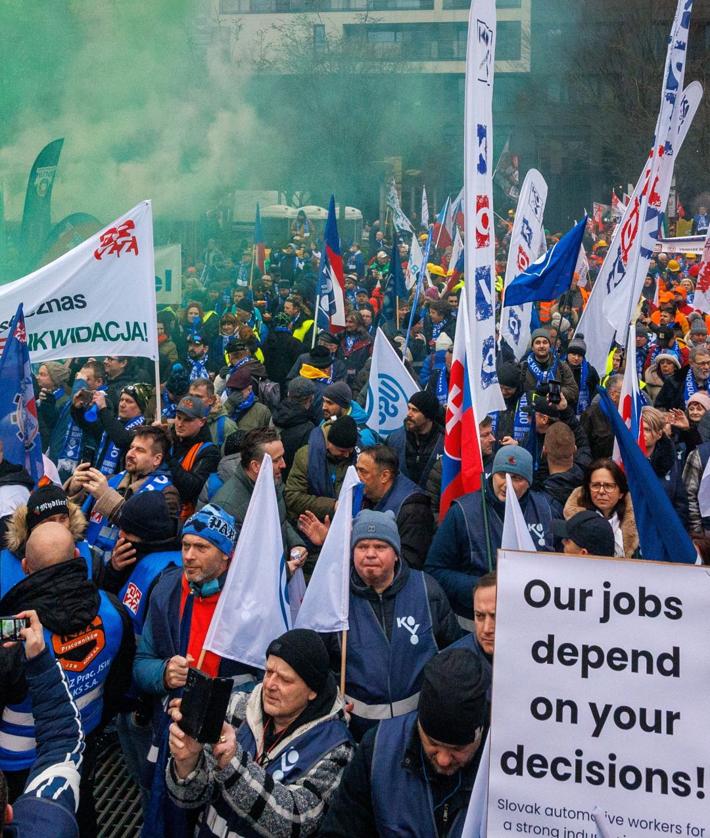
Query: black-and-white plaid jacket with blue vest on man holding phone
[248, 798]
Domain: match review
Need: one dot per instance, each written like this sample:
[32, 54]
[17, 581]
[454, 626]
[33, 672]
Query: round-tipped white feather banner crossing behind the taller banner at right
[596, 321]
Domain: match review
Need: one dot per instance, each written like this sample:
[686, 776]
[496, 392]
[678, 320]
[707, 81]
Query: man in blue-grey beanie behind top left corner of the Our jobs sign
[465, 544]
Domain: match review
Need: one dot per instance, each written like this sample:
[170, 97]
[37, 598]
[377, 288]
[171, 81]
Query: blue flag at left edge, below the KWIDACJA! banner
[19, 425]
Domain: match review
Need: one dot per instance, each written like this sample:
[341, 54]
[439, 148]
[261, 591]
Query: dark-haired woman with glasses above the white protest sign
[606, 491]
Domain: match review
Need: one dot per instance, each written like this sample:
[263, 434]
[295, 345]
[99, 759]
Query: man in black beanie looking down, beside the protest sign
[419, 768]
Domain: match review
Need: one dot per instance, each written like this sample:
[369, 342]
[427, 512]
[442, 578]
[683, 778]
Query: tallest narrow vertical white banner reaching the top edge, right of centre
[479, 244]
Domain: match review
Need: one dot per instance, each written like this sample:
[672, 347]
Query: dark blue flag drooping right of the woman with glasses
[661, 533]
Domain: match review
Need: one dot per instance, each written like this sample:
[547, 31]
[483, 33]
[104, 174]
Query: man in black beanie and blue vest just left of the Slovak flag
[419, 443]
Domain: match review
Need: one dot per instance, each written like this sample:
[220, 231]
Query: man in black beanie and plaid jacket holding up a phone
[276, 773]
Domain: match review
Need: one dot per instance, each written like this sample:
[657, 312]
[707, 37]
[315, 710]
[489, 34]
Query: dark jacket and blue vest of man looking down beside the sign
[355, 810]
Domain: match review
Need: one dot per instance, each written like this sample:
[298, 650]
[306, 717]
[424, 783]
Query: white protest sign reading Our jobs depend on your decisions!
[600, 677]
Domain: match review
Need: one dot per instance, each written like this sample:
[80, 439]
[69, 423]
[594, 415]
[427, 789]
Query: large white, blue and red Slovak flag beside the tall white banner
[462, 464]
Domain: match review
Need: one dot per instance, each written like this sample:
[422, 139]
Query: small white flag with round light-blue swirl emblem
[389, 388]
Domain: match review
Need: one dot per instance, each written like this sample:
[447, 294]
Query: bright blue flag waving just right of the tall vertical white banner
[551, 274]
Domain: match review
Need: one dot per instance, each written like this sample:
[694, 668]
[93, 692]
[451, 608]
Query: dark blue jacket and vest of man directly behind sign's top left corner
[458, 556]
